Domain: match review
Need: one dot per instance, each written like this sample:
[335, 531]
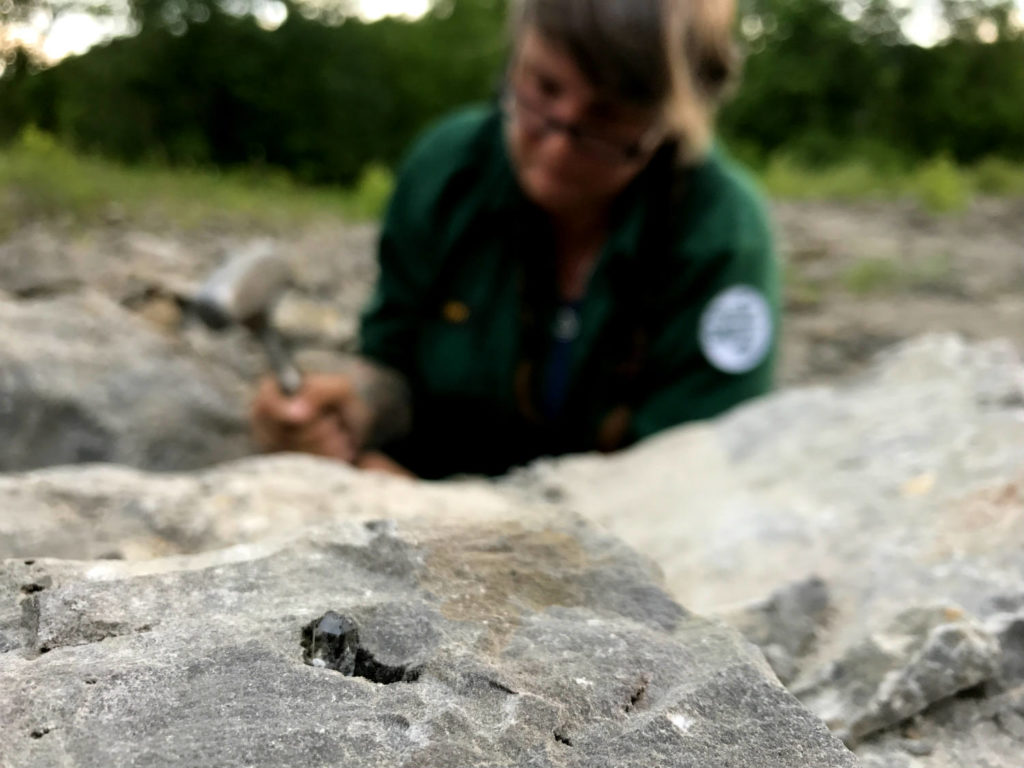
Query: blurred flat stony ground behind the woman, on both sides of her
[860, 276]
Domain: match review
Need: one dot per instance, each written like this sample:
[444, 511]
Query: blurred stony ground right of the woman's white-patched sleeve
[862, 277]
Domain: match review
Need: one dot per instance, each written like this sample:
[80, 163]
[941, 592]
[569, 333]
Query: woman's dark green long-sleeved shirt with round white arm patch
[679, 322]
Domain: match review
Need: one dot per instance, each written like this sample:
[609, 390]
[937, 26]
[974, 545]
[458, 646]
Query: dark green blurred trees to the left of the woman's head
[200, 87]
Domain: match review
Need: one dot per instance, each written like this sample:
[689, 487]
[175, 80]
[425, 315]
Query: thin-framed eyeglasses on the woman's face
[531, 112]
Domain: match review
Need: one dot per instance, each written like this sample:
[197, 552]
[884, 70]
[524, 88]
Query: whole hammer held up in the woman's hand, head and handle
[244, 291]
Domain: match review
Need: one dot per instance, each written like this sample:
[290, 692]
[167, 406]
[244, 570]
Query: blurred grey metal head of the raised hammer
[244, 289]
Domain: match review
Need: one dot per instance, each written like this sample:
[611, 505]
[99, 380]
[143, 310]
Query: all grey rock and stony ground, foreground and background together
[864, 528]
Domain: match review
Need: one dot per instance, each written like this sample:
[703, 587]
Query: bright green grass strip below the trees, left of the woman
[41, 180]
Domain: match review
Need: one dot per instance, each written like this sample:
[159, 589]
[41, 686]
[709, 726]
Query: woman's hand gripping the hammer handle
[327, 417]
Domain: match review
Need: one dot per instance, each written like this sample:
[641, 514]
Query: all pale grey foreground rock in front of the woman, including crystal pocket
[866, 537]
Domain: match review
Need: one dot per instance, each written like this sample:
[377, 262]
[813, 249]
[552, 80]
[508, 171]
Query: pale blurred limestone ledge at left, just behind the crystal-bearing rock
[115, 513]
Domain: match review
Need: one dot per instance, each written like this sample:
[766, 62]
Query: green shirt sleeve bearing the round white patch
[719, 344]
